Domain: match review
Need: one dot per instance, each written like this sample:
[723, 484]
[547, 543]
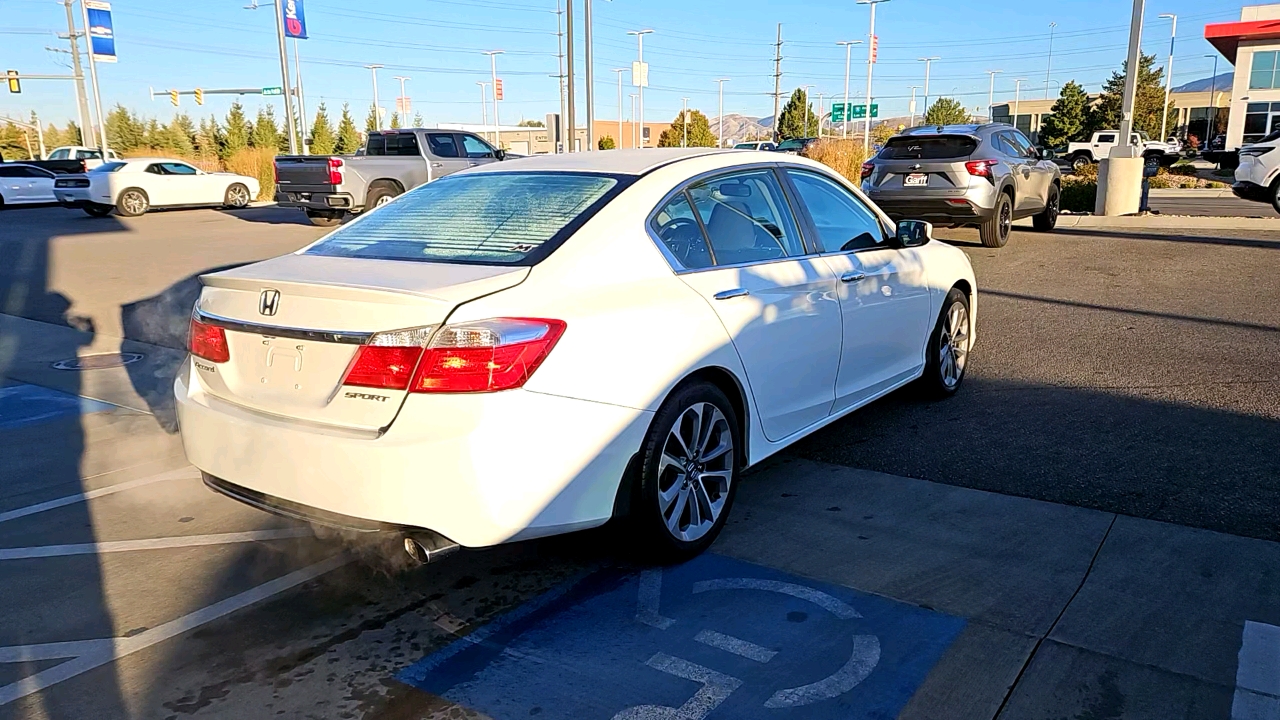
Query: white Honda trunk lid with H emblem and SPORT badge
[291, 349]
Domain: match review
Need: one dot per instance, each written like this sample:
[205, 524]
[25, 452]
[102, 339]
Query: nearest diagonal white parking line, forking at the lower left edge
[100, 653]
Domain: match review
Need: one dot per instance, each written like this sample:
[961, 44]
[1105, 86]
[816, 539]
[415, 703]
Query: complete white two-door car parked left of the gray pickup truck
[134, 186]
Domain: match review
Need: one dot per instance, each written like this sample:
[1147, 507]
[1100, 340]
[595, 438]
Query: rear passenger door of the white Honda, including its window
[738, 244]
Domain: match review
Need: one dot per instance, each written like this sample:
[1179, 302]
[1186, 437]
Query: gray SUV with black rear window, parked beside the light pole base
[986, 176]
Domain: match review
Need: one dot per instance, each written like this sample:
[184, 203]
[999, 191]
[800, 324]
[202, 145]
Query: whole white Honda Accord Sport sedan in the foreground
[536, 348]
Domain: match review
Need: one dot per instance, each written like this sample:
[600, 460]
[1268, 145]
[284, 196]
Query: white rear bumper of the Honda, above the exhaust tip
[479, 470]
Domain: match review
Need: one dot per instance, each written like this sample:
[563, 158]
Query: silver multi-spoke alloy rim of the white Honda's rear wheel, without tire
[696, 472]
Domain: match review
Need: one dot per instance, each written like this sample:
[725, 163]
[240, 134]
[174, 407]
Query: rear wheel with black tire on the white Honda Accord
[670, 480]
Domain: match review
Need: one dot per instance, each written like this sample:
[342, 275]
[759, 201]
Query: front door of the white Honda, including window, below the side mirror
[883, 289]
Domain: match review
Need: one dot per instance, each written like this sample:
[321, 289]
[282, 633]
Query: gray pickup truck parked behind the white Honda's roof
[330, 188]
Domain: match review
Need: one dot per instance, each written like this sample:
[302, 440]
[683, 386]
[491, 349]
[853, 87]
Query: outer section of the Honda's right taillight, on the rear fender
[486, 357]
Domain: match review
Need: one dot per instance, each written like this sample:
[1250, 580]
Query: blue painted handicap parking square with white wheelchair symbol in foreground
[711, 639]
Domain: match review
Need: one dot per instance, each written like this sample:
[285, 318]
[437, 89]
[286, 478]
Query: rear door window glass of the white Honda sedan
[747, 218]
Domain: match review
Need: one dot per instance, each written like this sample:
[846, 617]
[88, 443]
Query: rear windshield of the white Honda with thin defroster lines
[483, 218]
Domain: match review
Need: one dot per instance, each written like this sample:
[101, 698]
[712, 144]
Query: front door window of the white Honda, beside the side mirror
[844, 222]
